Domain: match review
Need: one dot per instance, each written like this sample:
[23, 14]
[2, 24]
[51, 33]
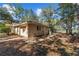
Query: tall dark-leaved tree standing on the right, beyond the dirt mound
[67, 14]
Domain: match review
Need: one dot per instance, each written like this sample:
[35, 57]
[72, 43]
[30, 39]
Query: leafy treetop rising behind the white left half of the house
[23, 14]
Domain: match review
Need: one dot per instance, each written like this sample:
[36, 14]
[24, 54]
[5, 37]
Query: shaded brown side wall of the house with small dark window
[32, 30]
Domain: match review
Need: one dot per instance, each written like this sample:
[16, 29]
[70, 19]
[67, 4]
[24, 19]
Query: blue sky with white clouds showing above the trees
[36, 7]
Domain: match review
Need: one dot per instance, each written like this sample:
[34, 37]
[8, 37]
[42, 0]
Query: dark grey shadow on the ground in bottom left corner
[9, 51]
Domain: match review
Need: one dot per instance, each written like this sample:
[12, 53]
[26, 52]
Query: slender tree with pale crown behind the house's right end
[47, 13]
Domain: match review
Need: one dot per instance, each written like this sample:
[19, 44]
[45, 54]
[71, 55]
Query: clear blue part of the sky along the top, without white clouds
[36, 5]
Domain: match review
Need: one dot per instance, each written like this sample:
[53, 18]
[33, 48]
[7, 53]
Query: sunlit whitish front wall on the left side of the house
[22, 31]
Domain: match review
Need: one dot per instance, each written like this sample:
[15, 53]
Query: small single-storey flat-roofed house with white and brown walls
[30, 29]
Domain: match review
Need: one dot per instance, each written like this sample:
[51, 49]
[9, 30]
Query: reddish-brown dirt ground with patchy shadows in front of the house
[57, 44]
